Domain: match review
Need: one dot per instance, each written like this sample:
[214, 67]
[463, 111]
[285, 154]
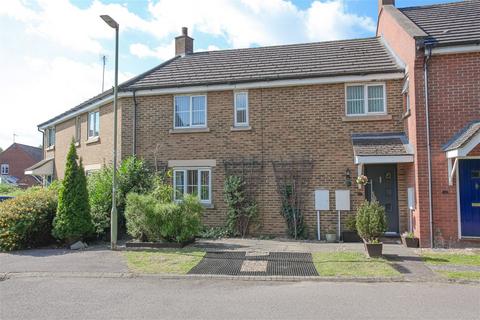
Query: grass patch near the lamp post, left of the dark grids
[174, 261]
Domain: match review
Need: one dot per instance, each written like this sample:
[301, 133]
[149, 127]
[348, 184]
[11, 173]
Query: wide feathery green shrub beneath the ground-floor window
[149, 219]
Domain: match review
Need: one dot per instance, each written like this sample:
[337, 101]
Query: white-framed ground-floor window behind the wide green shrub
[196, 181]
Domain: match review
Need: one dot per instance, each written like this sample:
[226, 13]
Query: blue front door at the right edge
[469, 186]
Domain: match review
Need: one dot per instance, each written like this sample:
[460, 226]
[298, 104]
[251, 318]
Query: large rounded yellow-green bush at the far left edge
[26, 221]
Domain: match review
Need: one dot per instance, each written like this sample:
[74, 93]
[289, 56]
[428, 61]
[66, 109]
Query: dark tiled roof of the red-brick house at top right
[449, 23]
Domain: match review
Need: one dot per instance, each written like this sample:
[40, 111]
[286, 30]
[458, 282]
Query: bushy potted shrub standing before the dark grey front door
[371, 224]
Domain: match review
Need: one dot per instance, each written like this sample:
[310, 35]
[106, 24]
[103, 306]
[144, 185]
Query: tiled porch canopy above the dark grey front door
[381, 148]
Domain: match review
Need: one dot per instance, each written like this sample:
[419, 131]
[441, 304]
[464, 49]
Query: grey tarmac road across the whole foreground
[153, 298]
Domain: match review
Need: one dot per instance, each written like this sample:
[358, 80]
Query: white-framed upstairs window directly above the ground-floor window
[190, 111]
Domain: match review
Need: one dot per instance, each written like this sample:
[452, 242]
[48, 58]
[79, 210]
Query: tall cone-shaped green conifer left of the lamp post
[73, 220]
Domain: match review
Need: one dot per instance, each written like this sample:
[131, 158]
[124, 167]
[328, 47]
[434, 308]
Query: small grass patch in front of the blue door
[452, 259]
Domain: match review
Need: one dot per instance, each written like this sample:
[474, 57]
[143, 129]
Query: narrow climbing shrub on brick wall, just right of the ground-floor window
[241, 210]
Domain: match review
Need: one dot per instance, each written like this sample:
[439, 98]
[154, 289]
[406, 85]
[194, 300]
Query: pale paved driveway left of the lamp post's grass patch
[95, 259]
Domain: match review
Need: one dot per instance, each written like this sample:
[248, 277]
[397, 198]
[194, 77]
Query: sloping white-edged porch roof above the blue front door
[463, 141]
